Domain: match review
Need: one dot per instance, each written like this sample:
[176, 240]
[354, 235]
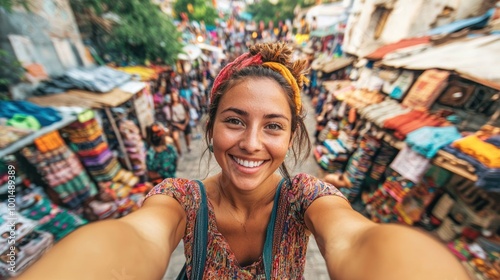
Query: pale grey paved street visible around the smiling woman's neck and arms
[191, 167]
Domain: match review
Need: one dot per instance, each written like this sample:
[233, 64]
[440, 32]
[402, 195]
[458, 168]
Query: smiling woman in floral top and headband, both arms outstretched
[252, 220]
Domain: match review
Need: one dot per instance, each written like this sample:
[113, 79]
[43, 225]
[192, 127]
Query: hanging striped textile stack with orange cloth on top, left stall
[60, 169]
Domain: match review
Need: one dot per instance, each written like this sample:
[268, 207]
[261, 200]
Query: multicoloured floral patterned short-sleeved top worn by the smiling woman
[289, 247]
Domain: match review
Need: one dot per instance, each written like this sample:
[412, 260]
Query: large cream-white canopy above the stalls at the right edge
[477, 58]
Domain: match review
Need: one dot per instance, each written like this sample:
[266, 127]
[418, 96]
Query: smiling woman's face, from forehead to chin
[252, 131]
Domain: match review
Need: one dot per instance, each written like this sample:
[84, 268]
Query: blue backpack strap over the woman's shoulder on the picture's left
[200, 236]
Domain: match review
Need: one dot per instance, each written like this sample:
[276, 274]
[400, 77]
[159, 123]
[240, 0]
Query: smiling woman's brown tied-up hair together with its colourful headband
[262, 62]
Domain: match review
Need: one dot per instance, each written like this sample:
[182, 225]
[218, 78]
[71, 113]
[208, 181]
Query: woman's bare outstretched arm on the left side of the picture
[137, 246]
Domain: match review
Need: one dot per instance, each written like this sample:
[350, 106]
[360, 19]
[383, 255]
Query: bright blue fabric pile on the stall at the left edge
[45, 115]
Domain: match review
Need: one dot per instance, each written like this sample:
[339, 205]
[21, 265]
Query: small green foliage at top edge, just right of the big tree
[199, 10]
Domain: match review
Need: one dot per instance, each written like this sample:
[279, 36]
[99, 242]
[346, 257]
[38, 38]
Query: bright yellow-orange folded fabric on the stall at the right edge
[486, 153]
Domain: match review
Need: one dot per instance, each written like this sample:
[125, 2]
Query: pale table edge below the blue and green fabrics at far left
[28, 139]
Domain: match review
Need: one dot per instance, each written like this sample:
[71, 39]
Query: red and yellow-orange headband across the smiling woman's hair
[246, 60]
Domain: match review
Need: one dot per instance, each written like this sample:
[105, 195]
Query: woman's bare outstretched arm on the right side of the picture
[356, 248]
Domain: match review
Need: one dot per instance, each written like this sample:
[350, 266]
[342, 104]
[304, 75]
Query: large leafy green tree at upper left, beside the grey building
[131, 30]
